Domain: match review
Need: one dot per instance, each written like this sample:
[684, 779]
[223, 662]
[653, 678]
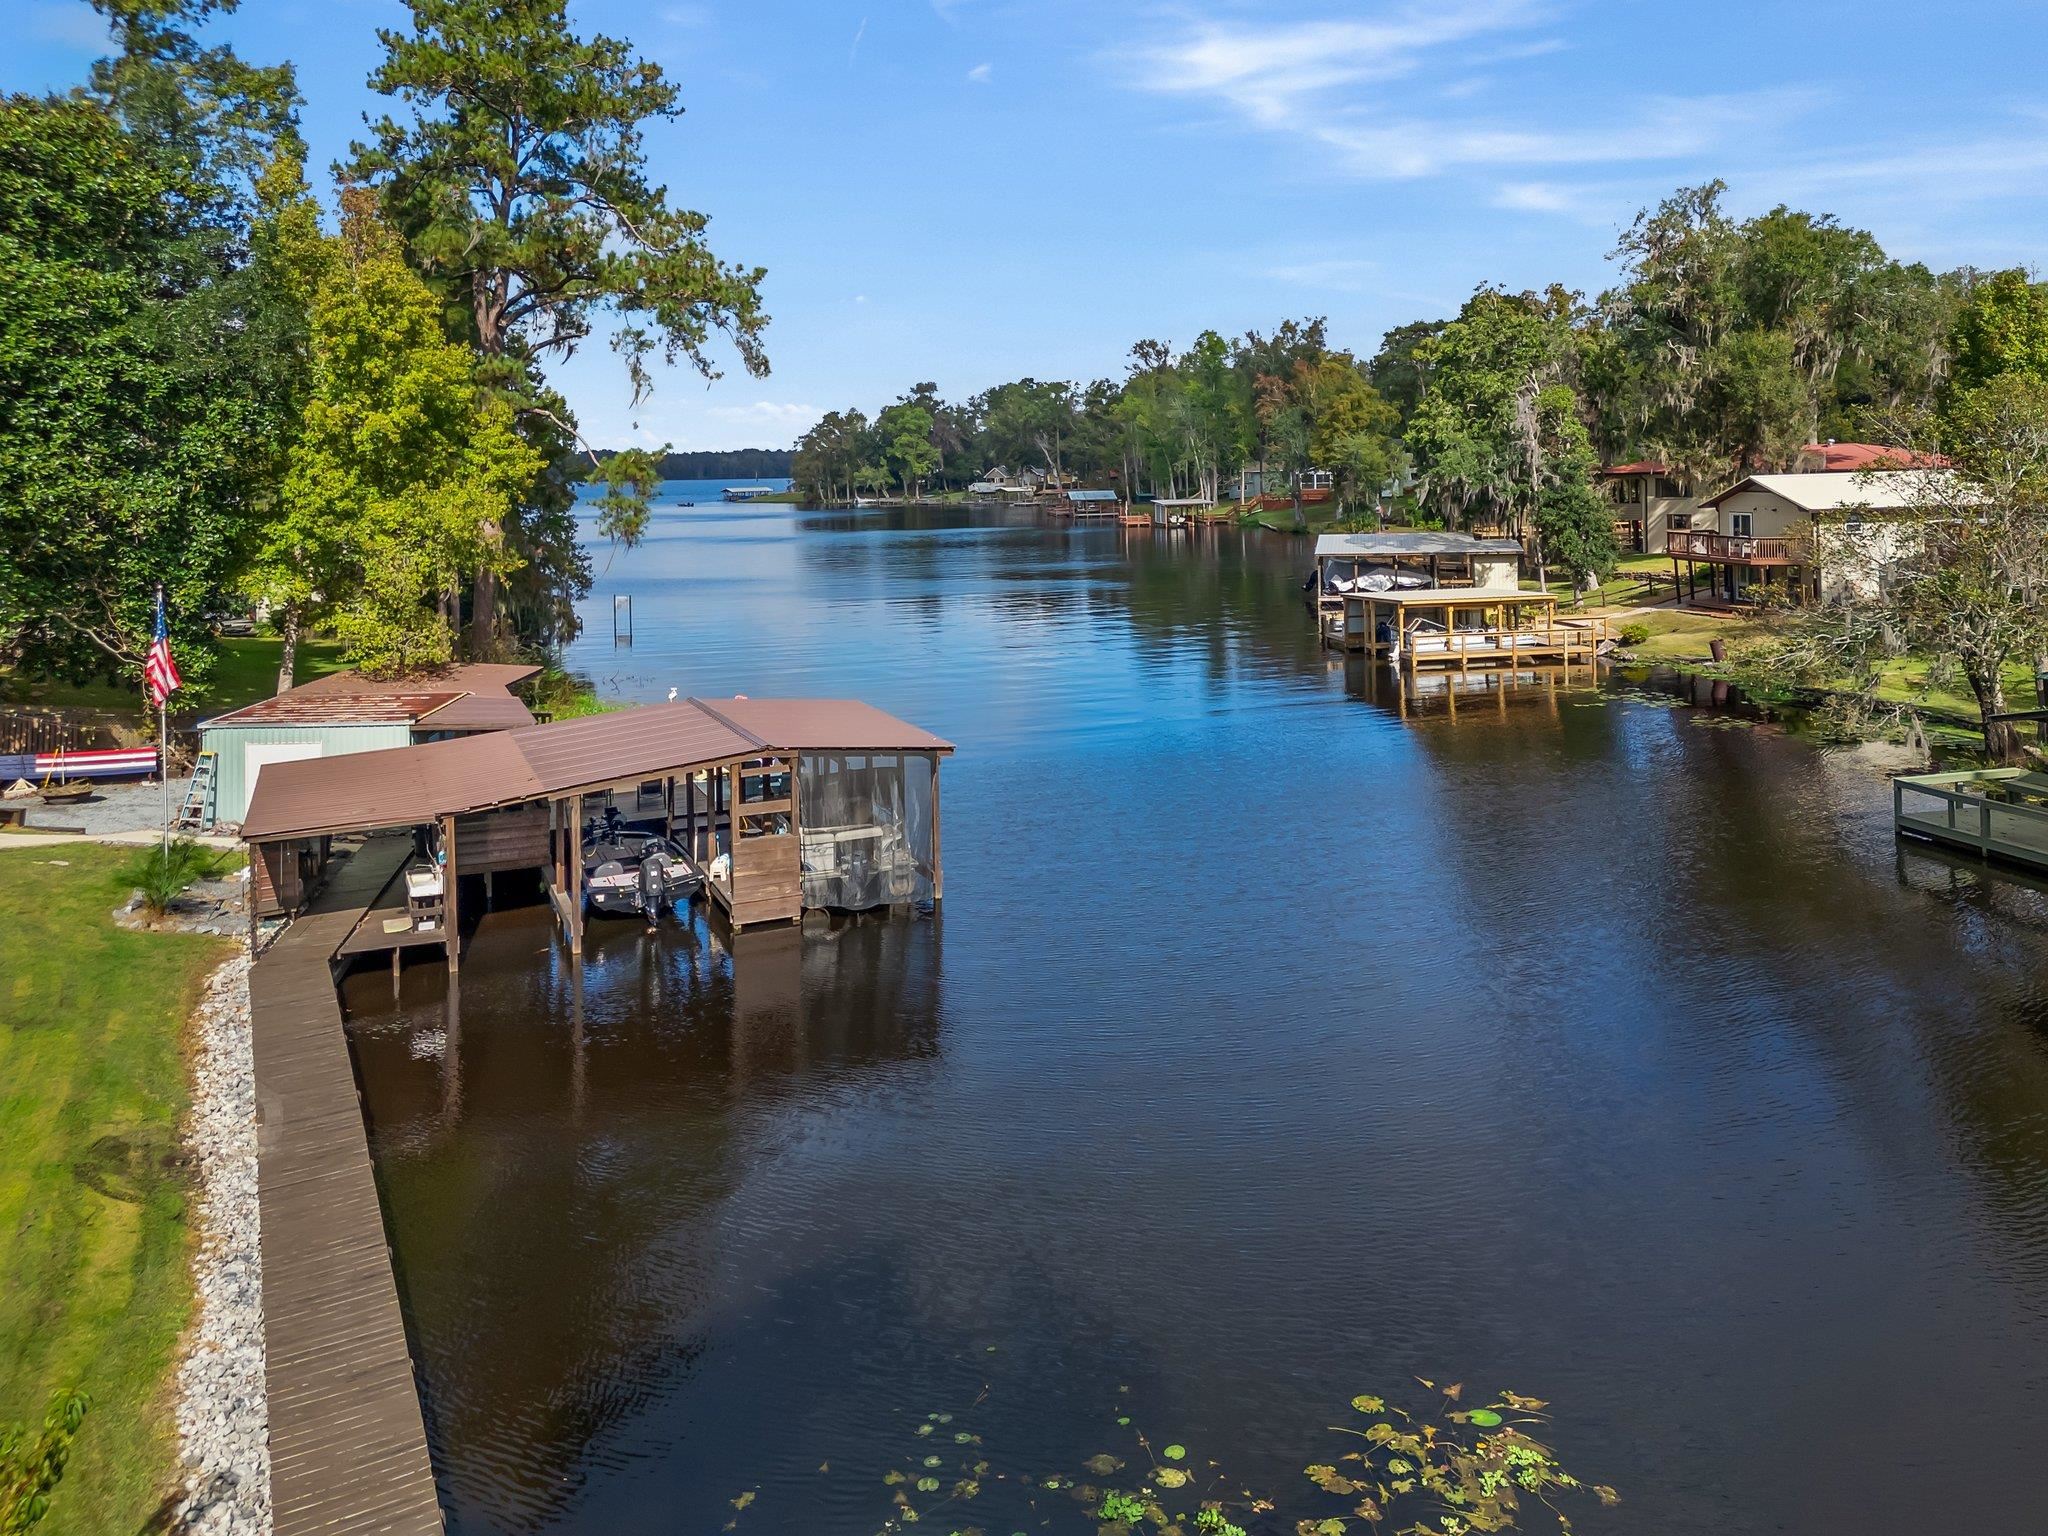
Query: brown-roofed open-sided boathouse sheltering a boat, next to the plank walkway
[779, 804]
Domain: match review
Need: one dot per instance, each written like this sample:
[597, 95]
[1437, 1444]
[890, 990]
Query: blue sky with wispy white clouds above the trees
[970, 191]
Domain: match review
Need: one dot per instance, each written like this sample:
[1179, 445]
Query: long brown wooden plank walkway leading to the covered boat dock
[347, 1439]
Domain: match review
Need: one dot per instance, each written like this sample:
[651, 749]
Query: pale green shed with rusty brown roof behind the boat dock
[347, 714]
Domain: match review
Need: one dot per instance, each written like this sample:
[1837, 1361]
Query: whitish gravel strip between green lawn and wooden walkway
[224, 1420]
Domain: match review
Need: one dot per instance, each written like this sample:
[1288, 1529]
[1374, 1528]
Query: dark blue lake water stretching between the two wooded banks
[1271, 1048]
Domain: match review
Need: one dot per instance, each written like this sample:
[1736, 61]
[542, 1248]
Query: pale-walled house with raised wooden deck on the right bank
[1795, 531]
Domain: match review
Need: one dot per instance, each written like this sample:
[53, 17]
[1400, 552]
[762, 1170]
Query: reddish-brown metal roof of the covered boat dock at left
[472, 773]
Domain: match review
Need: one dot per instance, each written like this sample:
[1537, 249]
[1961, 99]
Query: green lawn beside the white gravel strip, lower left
[95, 1283]
